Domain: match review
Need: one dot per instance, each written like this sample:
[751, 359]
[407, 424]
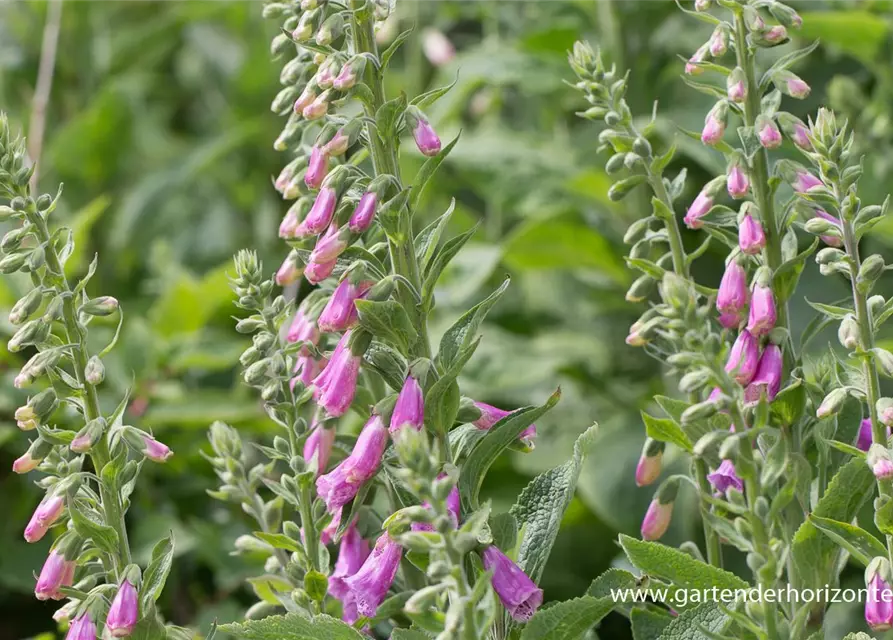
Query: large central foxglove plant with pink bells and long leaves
[398, 504]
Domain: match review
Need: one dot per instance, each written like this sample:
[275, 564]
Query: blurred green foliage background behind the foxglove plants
[159, 126]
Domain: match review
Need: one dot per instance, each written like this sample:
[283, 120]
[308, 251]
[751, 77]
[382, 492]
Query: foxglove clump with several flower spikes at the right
[782, 455]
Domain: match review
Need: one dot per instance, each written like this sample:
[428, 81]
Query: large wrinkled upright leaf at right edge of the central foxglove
[542, 504]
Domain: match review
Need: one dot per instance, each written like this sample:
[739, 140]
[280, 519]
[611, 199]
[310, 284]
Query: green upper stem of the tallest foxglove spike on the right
[760, 169]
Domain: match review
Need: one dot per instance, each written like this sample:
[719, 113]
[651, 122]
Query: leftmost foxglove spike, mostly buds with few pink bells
[89, 468]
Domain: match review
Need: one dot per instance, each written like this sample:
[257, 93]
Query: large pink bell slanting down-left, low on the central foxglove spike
[339, 486]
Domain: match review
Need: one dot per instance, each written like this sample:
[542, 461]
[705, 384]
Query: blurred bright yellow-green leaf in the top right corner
[858, 33]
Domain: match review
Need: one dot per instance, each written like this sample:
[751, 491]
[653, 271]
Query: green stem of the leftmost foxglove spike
[100, 454]
